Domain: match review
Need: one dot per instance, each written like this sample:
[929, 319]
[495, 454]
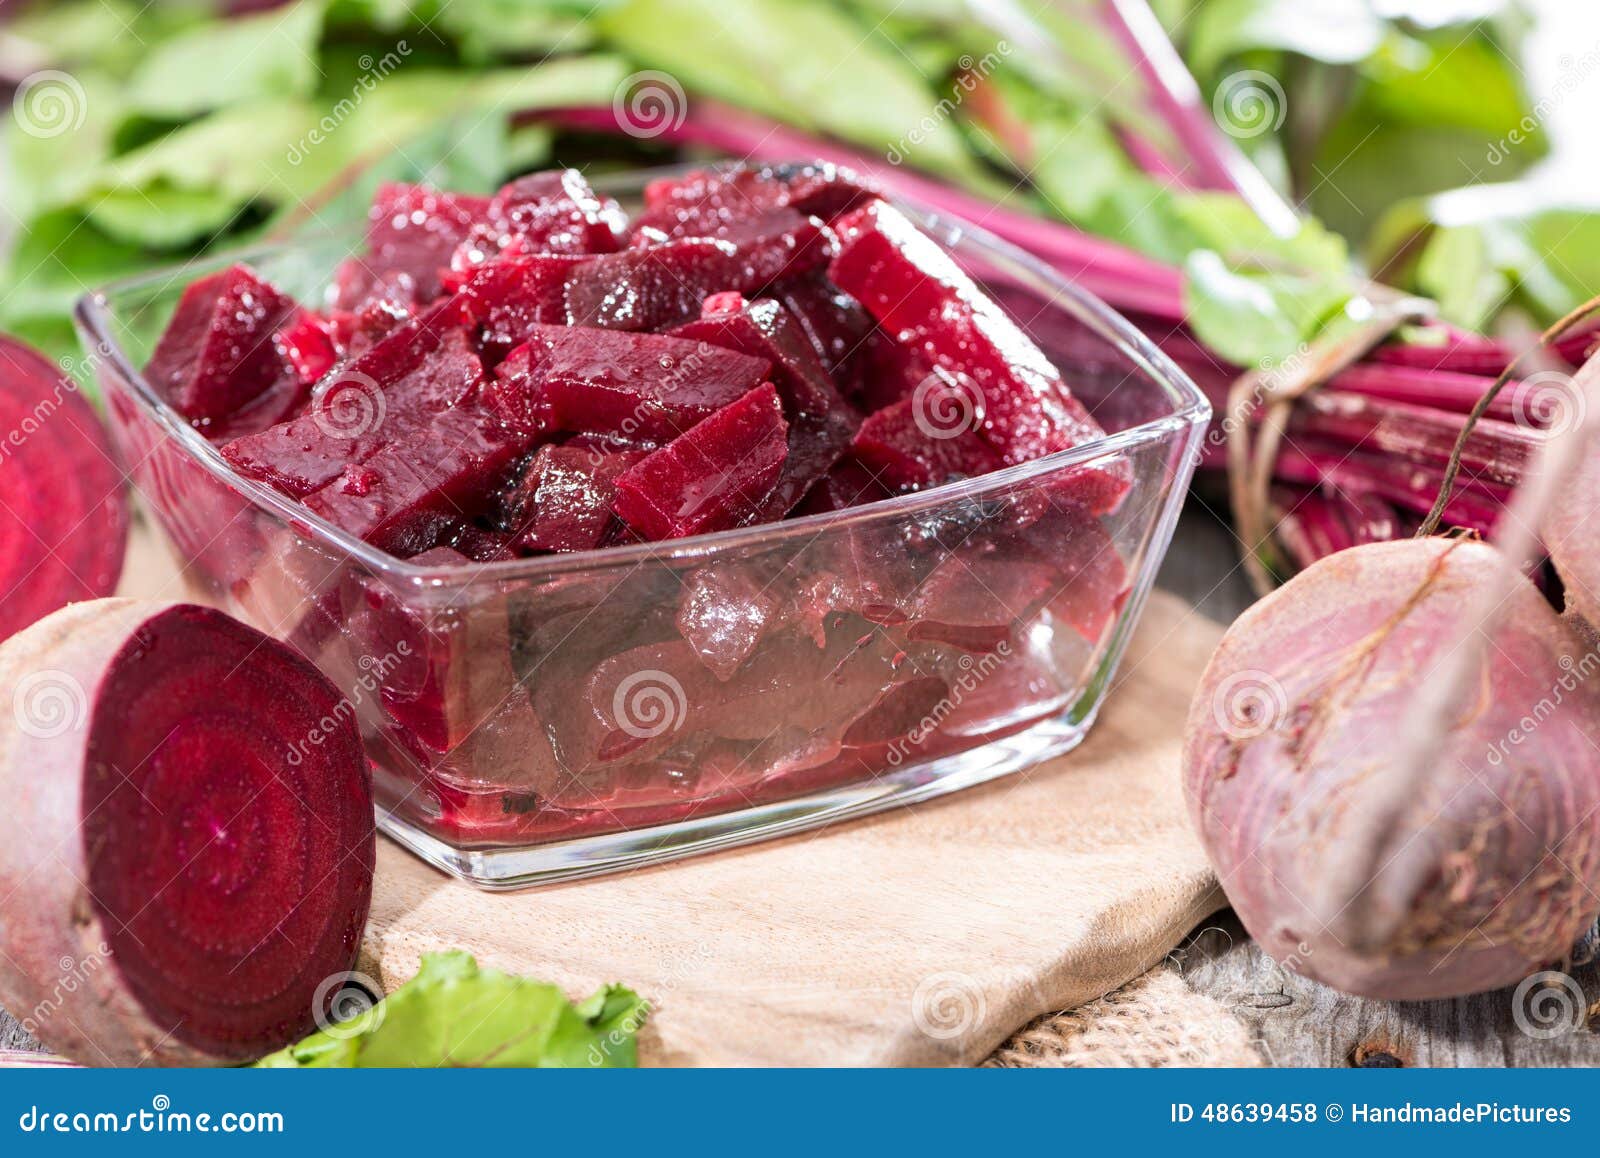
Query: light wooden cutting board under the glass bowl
[921, 936]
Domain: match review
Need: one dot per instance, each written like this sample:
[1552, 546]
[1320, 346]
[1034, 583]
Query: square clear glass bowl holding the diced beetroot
[548, 719]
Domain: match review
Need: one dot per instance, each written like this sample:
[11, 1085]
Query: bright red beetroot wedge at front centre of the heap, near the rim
[711, 479]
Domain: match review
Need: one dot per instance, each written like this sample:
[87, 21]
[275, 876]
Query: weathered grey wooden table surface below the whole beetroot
[1297, 1021]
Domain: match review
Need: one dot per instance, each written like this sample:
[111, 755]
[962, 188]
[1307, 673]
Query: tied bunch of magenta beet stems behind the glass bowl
[1372, 433]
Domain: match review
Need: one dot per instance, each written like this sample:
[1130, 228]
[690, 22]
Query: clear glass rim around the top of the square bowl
[94, 314]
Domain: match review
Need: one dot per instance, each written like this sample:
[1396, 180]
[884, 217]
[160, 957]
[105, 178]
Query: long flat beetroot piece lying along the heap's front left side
[388, 394]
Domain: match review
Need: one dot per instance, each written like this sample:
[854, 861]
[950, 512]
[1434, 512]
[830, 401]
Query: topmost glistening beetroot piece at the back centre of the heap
[708, 202]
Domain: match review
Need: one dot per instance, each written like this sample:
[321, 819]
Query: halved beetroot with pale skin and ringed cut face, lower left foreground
[188, 834]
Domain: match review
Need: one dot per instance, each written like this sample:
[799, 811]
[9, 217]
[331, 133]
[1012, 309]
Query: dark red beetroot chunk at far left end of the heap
[217, 354]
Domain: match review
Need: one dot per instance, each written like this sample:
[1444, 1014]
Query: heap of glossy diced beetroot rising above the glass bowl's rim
[534, 373]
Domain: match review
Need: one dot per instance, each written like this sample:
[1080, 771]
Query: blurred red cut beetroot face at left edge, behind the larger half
[63, 508]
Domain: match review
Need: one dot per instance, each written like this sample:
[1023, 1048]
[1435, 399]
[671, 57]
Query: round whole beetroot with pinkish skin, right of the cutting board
[1300, 727]
